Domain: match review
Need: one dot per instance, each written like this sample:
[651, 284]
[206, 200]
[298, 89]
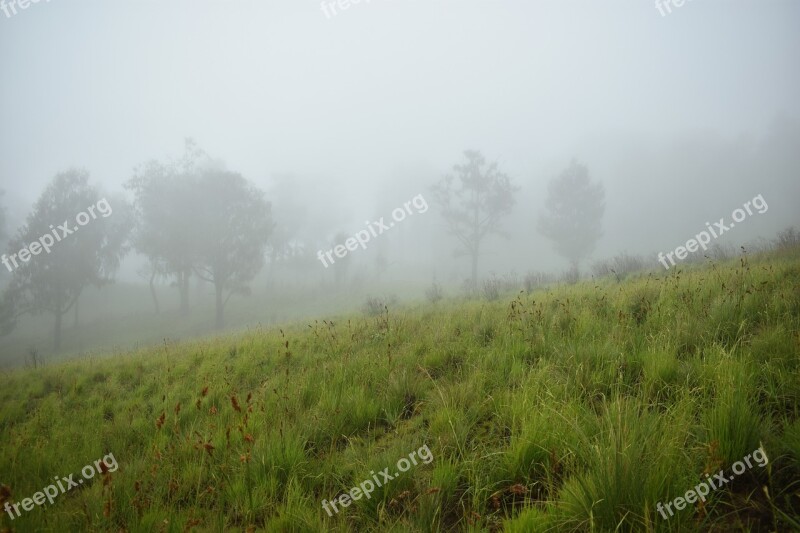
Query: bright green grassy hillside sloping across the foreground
[577, 408]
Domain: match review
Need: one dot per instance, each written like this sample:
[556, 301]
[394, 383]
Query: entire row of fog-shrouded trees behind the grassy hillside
[192, 217]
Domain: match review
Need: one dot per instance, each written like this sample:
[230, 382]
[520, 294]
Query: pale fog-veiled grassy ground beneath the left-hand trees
[120, 317]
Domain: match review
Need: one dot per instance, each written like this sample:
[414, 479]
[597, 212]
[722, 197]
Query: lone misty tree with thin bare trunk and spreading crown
[472, 201]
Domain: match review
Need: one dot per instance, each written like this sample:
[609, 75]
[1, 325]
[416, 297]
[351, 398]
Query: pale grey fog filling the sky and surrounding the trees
[682, 116]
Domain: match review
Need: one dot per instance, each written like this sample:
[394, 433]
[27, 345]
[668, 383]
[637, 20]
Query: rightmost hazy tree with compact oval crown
[575, 208]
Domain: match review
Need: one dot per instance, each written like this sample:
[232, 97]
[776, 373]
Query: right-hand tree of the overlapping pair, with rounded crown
[234, 223]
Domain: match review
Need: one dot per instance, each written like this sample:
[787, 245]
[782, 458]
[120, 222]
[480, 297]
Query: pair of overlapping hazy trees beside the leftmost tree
[193, 217]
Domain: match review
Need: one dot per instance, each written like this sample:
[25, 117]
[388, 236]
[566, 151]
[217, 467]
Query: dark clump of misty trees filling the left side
[191, 217]
